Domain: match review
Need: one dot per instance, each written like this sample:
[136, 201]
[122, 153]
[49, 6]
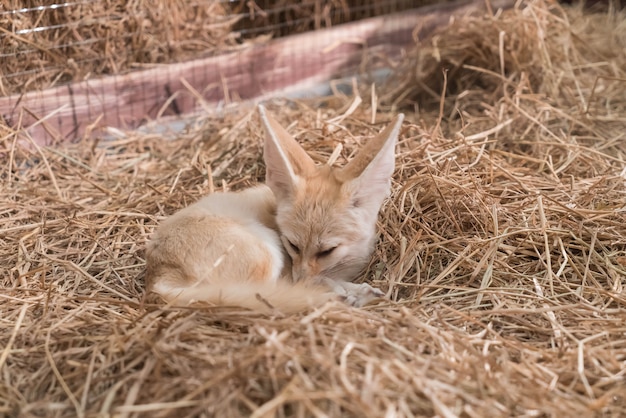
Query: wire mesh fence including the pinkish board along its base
[67, 68]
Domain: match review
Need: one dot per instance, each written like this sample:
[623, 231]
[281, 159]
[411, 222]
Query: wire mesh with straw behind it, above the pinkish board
[45, 44]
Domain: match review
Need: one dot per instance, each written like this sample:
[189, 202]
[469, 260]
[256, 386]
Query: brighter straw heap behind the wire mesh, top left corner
[49, 43]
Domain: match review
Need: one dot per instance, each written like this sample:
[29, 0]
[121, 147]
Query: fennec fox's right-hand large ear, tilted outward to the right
[368, 175]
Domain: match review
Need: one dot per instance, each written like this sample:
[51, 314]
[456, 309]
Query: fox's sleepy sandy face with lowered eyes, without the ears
[324, 230]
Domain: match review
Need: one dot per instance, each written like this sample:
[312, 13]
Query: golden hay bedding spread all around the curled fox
[503, 248]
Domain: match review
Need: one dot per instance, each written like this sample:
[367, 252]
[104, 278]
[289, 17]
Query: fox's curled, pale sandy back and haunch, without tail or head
[224, 237]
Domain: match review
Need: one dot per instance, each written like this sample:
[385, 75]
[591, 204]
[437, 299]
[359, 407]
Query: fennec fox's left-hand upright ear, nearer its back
[286, 163]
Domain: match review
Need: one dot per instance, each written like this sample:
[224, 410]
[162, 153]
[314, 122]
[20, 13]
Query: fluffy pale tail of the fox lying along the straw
[263, 297]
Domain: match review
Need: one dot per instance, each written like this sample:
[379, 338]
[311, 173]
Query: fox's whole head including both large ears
[327, 216]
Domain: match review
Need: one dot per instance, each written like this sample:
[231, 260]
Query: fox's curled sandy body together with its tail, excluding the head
[225, 250]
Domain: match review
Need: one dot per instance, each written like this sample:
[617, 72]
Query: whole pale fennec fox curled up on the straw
[229, 248]
